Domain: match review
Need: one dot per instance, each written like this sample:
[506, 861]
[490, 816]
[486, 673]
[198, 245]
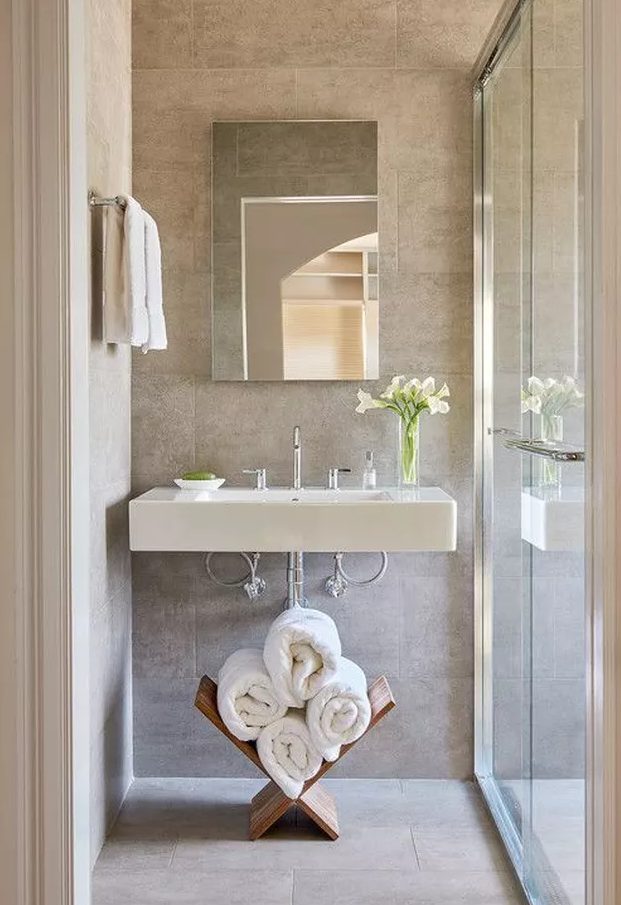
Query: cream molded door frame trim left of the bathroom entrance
[44, 455]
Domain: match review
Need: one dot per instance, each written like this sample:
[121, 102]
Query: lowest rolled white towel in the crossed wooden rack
[288, 754]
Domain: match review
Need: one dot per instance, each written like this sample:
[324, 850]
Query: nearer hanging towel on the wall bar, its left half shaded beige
[125, 310]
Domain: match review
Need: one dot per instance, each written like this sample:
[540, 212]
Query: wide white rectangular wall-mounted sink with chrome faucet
[280, 519]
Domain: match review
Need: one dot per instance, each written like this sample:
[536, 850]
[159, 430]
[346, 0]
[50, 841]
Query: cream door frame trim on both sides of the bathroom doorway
[44, 534]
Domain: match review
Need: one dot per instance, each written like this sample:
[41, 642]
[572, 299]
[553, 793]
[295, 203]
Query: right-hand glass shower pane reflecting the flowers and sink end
[556, 868]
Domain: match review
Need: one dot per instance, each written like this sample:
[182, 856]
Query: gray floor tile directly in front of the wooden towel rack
[302, 847]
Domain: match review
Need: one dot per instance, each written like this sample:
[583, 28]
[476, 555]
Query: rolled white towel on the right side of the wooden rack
[341, 712]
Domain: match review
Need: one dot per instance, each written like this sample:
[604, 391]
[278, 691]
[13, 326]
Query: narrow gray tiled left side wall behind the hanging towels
[109, 172]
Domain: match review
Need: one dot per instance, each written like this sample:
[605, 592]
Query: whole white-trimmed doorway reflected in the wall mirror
[309, 272]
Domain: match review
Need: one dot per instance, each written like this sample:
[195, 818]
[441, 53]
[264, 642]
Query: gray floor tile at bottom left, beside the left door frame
[192, 888]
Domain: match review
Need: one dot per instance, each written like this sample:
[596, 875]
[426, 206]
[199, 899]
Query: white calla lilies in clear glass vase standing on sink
[408, 399]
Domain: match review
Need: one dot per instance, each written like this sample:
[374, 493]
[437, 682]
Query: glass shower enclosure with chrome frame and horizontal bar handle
[530, 644]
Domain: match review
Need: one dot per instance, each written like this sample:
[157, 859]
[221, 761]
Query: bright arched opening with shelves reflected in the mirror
[330, 314]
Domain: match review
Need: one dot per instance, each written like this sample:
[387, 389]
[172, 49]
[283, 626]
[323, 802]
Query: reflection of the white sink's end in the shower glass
[552, 519]
